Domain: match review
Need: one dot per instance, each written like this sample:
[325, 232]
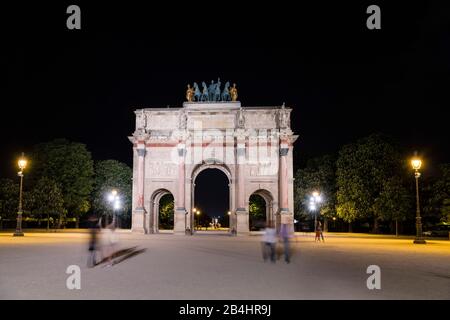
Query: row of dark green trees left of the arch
[63, 184]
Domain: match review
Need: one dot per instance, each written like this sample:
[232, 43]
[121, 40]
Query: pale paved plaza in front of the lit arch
[217, 266]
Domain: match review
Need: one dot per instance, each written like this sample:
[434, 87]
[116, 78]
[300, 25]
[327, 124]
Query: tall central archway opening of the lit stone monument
[212, 196]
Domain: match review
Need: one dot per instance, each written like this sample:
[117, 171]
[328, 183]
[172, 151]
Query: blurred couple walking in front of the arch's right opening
[270, 240]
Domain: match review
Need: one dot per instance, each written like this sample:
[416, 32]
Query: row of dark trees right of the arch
[369, 185]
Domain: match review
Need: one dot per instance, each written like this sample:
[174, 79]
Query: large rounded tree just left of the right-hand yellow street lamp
[368, 173]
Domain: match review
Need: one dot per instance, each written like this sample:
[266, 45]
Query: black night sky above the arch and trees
[343, 80]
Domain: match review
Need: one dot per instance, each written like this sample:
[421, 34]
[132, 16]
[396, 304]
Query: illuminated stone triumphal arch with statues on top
[252, 146]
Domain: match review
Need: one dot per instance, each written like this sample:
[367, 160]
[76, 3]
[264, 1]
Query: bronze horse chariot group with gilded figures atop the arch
[211, 92]
